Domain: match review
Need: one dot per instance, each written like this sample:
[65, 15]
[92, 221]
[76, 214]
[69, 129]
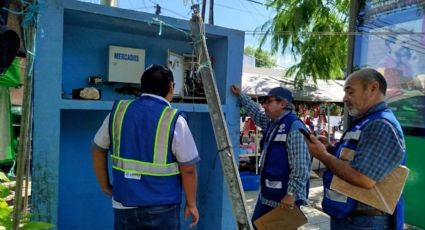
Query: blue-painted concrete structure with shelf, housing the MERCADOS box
[72, 44]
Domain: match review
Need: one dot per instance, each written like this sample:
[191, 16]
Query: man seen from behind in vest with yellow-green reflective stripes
[153, 157]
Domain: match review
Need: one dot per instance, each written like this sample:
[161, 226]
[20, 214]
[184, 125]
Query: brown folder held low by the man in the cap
[281, 218]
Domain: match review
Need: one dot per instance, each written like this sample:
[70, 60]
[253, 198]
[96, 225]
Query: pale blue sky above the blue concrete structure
[244, 15]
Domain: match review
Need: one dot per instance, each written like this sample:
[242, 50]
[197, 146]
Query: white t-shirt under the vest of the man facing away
[183, 145]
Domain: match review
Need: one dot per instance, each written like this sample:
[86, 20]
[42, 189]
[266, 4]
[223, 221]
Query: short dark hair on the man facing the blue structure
[156, 80]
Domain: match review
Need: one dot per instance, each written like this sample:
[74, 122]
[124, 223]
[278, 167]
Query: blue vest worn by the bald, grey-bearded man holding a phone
[339, 206]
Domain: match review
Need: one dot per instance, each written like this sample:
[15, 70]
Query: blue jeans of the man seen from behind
[149, 218]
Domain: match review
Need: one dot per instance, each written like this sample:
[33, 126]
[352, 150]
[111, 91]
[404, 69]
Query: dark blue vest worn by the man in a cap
[275, 168]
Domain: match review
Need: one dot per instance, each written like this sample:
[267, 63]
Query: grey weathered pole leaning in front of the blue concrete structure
[224, 146]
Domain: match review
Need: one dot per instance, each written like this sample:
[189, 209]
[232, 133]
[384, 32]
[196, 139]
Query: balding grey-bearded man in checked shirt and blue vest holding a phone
[374, 141]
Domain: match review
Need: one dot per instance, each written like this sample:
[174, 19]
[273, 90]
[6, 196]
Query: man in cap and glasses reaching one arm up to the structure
[285, 162]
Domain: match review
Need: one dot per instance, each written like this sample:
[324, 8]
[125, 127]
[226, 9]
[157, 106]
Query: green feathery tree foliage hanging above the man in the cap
[313, 31]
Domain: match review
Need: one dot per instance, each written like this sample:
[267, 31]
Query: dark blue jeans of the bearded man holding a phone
[363, 223]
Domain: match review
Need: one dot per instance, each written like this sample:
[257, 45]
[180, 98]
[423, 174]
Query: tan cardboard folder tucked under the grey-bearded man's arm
[383, 196]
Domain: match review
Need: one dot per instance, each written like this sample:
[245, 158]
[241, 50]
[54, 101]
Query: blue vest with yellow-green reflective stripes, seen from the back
[145, 172]
